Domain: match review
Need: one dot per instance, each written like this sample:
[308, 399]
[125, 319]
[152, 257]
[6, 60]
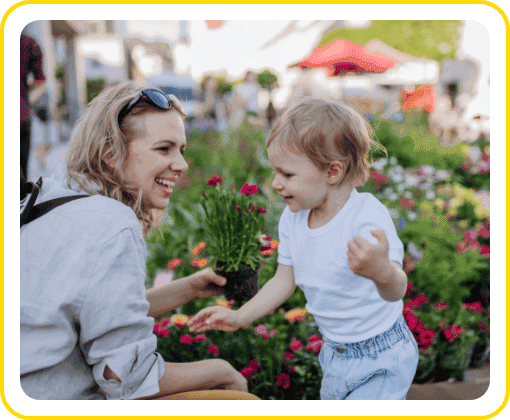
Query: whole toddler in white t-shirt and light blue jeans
[341, 248]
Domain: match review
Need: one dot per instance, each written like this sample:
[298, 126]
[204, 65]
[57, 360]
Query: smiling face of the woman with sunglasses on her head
[155, 156]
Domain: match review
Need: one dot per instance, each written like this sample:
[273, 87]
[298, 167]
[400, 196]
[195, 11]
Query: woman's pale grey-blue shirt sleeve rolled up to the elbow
[115, 328]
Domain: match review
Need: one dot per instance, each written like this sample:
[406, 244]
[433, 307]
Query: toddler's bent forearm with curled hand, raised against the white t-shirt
[371, 261]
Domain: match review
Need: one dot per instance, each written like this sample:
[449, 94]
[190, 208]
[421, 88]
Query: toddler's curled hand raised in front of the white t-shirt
[367, 260]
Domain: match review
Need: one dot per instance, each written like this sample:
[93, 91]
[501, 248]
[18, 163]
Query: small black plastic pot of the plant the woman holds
[241, 285]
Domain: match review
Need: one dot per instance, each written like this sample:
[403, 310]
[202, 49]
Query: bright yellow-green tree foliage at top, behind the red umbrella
[435, 40]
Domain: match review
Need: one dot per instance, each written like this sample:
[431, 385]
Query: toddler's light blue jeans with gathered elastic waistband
[380, 368]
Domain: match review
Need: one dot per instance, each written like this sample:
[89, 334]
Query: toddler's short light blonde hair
[324, 131]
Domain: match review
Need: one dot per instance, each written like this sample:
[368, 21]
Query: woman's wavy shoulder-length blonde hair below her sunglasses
[99, 147]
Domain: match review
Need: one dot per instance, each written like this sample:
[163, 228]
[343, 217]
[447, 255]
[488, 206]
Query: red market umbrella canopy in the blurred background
[341, 55]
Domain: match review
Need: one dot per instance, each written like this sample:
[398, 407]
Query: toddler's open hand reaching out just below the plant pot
[215, 318]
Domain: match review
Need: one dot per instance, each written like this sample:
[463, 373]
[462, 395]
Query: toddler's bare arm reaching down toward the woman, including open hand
[273, 294]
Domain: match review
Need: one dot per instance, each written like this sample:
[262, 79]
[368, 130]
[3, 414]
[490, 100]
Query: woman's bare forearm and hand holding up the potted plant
[166, 298]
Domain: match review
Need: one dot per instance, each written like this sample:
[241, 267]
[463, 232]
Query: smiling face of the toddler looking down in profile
[297, 180]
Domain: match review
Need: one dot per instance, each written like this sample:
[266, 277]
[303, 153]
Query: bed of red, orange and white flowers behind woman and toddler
[442, 217]
